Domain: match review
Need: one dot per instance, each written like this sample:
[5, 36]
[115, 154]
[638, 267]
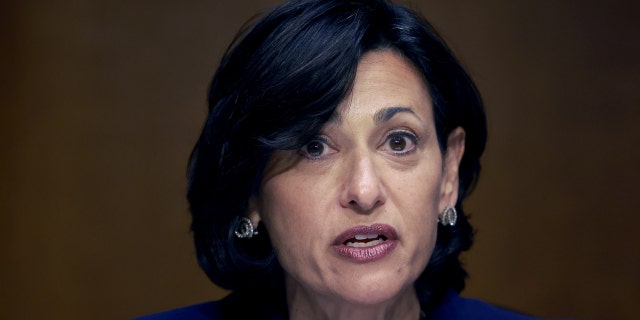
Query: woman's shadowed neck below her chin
[306, 304]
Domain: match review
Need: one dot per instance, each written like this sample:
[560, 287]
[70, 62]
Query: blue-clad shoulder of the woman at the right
[455, 307]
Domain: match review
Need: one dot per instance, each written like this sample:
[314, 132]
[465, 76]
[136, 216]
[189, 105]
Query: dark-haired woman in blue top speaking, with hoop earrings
[328, 181]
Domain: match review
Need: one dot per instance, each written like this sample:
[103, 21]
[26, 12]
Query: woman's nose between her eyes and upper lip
[363, 190]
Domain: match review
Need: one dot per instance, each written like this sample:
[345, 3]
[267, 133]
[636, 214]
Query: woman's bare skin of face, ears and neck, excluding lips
[376, 162]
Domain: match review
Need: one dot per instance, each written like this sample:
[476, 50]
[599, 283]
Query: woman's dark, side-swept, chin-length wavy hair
[278, 83]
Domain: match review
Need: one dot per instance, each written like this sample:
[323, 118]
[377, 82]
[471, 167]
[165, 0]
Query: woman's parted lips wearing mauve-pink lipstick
[366, 243]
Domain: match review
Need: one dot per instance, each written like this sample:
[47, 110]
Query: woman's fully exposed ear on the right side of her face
[451, 165]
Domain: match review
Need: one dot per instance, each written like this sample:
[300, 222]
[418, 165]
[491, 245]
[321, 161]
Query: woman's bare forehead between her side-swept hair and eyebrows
[385, 79]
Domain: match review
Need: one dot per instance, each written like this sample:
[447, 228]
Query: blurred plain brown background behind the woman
[101, 102]
